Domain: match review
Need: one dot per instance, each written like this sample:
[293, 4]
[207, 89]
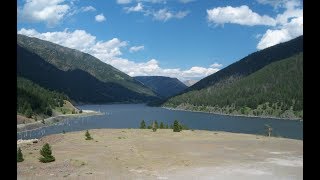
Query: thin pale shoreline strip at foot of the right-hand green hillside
[239, 115]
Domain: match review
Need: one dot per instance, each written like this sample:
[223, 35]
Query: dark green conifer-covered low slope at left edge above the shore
[32, 99]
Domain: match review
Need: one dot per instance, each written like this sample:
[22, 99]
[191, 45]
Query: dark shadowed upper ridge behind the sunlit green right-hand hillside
[252, 62]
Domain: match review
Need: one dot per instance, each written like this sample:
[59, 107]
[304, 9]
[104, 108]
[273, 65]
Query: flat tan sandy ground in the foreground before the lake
[143, 154]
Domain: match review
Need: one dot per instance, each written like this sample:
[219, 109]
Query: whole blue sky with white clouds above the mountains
[186, 39]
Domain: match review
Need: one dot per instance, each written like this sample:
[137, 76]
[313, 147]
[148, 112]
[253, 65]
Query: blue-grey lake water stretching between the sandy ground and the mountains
[130, 116]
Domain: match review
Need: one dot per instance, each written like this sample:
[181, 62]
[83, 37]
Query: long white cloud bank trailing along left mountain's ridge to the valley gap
[110, 53]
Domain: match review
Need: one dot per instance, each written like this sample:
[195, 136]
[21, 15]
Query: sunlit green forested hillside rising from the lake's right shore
[275, 90]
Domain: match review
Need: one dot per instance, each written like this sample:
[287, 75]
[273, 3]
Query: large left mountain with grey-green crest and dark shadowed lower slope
[84, 78]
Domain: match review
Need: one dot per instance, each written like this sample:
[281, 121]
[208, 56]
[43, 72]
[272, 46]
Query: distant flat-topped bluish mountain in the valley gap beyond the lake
[163, 86]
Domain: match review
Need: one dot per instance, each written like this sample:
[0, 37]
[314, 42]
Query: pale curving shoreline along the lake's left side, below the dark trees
[53, 120]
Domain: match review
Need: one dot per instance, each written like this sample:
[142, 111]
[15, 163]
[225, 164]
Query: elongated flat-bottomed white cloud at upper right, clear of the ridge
[242, 15]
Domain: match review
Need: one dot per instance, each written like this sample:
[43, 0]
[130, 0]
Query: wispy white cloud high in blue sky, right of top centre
[164, 15]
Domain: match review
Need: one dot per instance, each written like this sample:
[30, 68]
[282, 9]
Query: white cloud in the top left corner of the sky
[50, 12]
